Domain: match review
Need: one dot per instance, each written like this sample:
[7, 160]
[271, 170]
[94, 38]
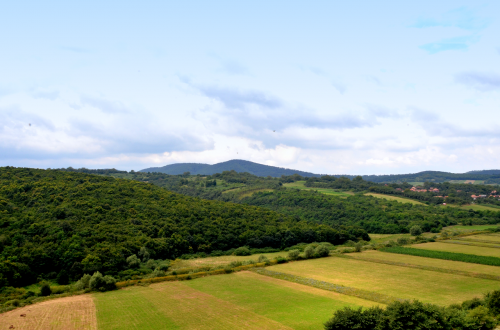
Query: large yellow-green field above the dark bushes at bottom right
[396, 281]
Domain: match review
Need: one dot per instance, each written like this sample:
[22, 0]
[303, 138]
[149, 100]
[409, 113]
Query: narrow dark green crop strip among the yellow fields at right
[471, 258]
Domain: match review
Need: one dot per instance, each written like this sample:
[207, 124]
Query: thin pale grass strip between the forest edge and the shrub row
[221, 261]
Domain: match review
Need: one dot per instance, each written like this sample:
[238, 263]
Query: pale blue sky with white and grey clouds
[332, 87]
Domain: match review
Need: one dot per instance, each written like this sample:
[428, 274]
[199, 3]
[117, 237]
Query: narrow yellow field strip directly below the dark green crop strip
[439, 263]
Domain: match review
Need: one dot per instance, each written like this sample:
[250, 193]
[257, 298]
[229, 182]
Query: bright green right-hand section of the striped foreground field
[276, 300]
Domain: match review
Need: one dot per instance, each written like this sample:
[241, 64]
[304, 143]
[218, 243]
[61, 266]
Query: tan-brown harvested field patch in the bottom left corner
[68, 313]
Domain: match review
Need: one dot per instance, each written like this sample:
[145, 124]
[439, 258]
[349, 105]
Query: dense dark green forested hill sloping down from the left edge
[55, 221]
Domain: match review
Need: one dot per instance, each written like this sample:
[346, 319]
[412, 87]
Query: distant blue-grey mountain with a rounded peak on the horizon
[237, 165]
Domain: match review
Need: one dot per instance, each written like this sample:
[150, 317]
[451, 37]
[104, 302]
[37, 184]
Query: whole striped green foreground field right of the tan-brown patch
[238, 301]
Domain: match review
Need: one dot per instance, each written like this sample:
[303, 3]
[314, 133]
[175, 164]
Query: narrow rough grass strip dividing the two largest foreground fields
[359, 293]
